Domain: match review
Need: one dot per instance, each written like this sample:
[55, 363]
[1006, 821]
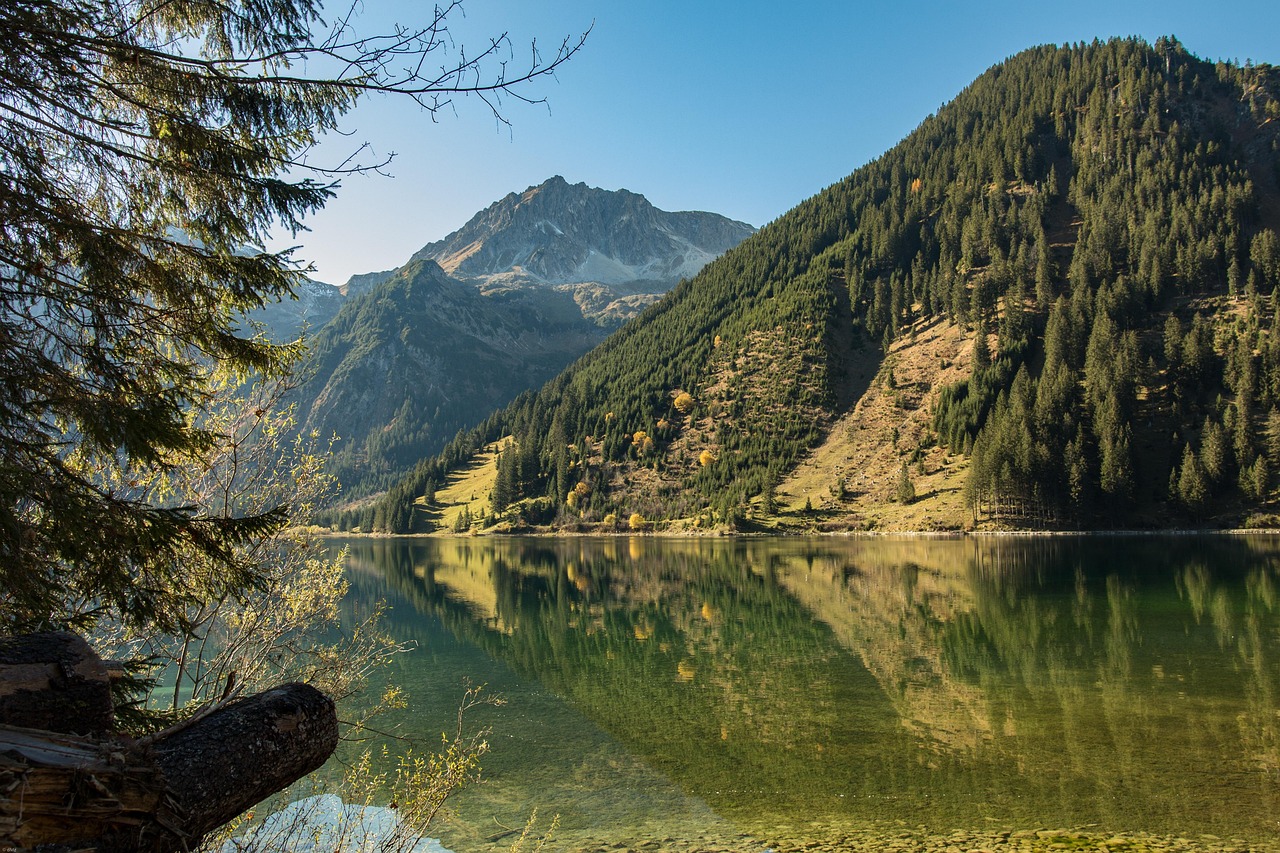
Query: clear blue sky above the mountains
[739, 107]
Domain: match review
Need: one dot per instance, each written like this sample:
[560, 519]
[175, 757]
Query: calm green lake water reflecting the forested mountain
[806, 688]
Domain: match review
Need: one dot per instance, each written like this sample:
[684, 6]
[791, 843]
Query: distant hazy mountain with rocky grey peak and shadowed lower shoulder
[401, 361]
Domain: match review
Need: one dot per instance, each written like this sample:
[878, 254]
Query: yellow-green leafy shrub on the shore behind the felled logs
[284, 628]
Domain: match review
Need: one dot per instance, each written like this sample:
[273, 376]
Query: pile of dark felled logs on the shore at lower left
[107, 793]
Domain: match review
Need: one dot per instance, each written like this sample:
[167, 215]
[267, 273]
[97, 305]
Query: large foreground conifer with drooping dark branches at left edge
[144, 148]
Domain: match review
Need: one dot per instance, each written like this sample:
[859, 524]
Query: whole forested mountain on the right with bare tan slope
[1049, 307]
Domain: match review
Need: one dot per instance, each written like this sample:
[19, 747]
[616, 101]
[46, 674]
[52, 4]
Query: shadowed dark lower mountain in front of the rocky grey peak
[420, 357]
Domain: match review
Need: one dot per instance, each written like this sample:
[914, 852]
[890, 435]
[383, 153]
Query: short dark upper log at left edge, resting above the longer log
[54, 682]
